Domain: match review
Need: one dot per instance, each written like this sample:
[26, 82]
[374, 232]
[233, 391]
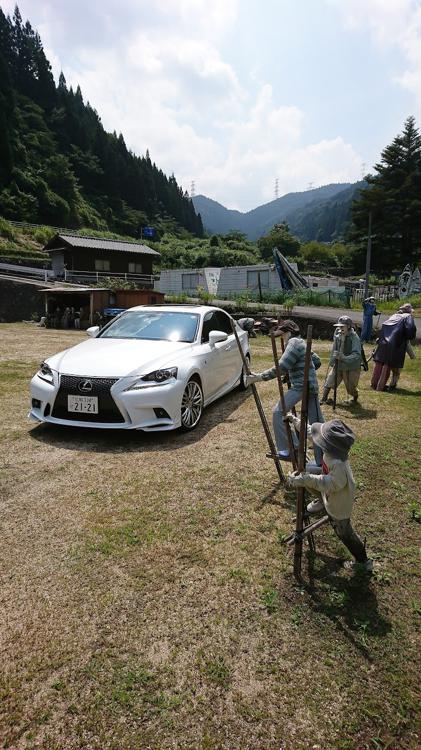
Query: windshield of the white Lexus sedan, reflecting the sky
[155, 326]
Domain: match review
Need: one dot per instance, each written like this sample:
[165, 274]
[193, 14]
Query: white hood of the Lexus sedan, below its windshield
[117, 358]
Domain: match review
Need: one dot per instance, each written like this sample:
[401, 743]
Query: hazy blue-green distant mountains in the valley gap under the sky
[321, 214]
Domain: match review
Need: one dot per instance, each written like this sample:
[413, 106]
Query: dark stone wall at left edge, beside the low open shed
[19, 299]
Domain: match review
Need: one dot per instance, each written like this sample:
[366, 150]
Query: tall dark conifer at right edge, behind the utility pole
[393, 197]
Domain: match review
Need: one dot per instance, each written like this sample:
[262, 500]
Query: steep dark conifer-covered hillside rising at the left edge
[59, 166]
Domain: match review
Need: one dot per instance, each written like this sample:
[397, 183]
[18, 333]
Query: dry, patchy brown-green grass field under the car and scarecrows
[147, 601]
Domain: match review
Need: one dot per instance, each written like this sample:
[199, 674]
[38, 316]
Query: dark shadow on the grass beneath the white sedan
[136, 441]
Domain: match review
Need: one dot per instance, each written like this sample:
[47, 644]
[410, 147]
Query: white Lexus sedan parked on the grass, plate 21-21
[151, 368]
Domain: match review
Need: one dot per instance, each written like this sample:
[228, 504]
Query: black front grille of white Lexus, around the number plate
[107, 408]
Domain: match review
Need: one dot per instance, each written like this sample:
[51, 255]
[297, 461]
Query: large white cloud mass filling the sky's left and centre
[156, 73]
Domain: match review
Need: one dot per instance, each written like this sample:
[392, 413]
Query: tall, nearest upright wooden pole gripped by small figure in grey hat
[299, 527]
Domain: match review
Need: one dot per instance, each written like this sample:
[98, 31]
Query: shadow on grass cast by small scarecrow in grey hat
[350, 602]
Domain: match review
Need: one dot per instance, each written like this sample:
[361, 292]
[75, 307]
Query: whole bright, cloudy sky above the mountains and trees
[235, 93]
